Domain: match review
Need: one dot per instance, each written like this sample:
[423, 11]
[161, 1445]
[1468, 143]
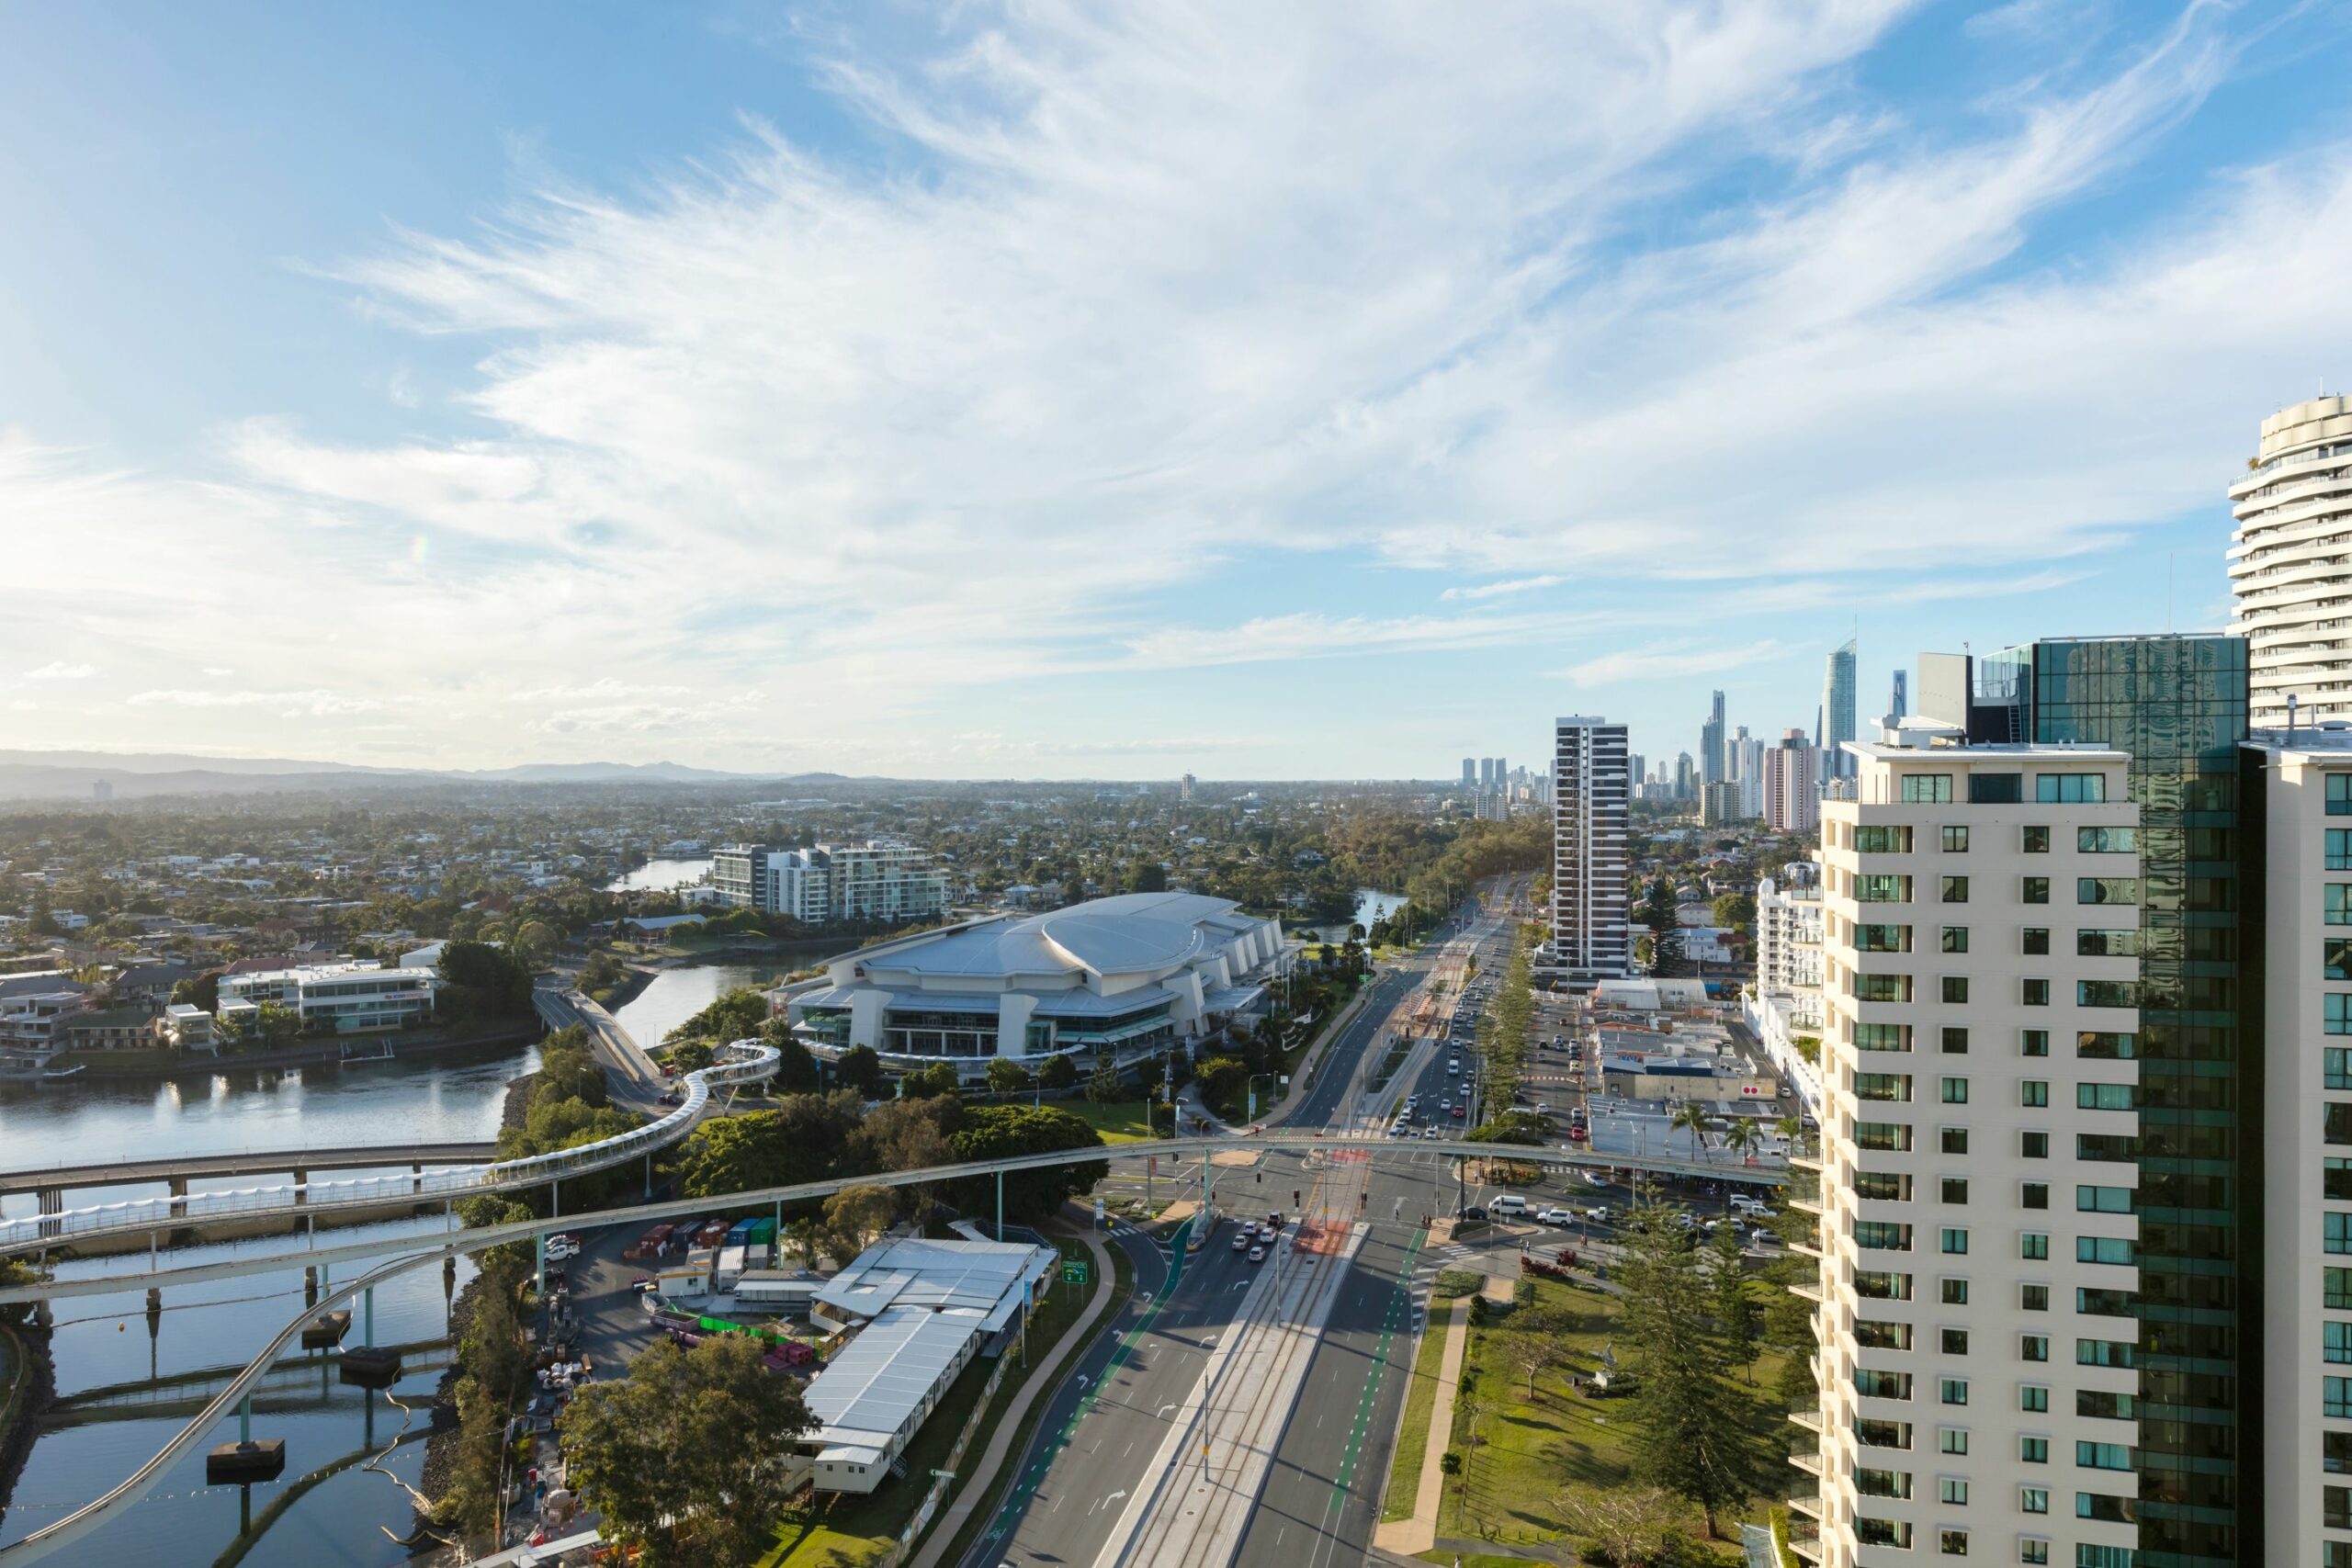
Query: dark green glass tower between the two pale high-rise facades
[2179, 709]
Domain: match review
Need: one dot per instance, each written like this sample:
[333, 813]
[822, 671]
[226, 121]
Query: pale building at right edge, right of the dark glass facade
[2306, 1115]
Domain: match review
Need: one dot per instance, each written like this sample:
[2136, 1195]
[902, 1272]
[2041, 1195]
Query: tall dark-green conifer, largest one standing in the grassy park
[1690, 1433]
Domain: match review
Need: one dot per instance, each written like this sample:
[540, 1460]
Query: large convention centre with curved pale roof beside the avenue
[1123, 977]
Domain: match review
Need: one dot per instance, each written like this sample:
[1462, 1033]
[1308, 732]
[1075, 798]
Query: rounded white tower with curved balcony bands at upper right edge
[2292, 563]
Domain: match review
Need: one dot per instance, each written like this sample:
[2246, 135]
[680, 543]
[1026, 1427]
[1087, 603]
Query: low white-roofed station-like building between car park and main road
[923, 1313]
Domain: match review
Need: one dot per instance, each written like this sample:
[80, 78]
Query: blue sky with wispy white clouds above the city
[1076, 391]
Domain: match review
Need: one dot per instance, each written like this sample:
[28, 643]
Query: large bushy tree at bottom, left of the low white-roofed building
[681, 1456]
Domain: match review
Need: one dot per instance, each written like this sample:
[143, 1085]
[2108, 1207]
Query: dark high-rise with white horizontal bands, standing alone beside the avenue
[1591, 873]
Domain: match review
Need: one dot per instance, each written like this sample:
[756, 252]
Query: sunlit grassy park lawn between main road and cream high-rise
[1537, 1459]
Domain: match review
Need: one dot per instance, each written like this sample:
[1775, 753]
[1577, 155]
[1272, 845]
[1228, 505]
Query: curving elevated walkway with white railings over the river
[744, 1061]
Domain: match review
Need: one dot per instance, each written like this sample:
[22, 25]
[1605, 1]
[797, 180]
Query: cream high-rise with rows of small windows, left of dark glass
[1977, 1224]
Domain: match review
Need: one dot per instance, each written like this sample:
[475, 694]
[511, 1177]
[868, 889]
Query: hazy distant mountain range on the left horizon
[147, 775]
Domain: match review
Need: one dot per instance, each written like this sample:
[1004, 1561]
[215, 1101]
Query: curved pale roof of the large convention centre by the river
[1104, 937]
